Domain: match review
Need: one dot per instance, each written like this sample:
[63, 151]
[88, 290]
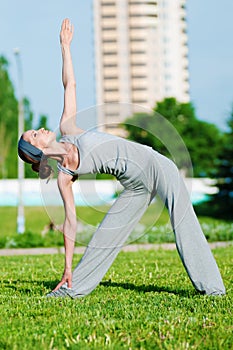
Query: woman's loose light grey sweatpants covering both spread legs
[163, 179]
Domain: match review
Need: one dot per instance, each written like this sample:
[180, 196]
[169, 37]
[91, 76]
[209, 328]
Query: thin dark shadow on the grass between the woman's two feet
[149, 288]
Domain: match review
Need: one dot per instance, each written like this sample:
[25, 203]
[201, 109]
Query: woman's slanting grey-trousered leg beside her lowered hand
[107, 242]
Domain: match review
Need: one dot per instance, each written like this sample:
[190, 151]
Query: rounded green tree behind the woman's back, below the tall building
[173, 126]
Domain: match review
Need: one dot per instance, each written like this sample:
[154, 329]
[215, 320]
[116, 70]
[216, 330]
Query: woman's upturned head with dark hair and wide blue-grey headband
[30, 150]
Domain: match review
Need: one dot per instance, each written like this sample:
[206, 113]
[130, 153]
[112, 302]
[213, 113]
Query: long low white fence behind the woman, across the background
[86, 192]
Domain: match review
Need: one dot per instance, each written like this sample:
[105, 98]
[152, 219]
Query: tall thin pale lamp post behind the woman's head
[20, 216]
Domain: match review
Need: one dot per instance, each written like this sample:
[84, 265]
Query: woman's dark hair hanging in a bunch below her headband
[41, 167]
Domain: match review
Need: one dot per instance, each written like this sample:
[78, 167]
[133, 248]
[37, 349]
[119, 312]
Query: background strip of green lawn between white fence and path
[154, 227]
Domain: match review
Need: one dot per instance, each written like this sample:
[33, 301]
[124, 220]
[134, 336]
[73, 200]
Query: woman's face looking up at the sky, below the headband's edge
[39, 138]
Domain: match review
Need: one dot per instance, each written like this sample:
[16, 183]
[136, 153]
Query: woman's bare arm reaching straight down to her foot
[70, 226]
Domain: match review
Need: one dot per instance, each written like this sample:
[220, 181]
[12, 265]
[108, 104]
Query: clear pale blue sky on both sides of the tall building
[33, 26]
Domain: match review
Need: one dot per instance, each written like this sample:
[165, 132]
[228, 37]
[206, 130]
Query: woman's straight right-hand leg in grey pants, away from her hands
[191, 243]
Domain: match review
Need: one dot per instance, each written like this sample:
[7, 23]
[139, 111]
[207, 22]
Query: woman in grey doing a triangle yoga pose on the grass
[142, 171]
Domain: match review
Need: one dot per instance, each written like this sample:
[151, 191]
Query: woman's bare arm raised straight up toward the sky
[68, 118]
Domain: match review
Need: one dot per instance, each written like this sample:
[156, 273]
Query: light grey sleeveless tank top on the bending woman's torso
[105, 153]
